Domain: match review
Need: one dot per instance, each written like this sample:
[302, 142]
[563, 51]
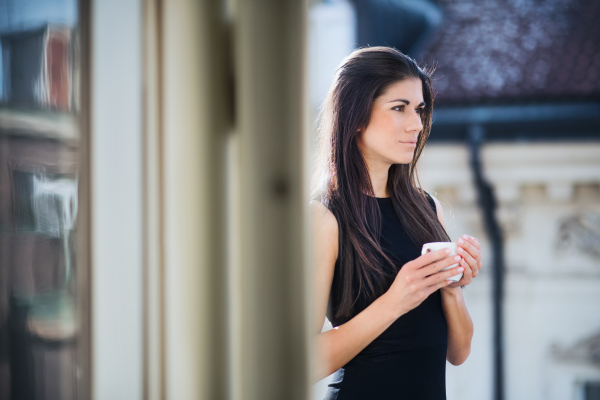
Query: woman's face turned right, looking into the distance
[391, 136]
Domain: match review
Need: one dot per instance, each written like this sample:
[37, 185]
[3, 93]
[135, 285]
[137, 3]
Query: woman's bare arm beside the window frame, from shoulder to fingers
[413, 284]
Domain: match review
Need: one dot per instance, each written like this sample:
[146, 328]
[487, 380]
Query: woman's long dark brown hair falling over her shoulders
[342, 180]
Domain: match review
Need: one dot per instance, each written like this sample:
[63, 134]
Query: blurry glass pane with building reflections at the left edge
[38, 199]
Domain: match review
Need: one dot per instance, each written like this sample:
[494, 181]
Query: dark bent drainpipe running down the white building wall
[488, 205]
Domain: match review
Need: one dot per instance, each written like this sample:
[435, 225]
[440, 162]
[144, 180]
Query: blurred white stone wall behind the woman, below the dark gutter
[552, 298]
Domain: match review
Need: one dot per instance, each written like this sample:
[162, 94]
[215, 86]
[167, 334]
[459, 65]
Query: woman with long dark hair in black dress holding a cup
[396, 315]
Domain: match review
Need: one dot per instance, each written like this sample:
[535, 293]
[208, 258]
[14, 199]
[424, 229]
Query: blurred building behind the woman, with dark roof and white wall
[514, 158]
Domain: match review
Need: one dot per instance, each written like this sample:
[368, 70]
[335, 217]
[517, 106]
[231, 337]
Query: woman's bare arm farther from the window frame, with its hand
[460, 325]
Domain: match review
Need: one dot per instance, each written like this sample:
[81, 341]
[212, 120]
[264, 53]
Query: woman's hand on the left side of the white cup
[419, 278]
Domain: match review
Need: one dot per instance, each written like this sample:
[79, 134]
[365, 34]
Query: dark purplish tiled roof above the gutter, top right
[506, 50]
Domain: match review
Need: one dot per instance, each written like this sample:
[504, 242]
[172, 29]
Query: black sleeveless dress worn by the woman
[408, 360]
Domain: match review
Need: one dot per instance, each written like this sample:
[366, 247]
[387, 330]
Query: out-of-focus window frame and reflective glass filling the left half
[151, 216]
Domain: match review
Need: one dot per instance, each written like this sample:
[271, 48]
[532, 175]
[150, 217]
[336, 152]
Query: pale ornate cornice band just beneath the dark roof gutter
[558, 168]
